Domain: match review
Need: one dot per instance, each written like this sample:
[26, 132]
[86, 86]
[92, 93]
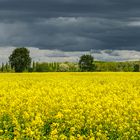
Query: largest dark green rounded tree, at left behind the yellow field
[20, 59]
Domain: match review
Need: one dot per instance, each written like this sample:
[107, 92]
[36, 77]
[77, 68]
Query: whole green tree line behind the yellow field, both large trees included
[20, 61]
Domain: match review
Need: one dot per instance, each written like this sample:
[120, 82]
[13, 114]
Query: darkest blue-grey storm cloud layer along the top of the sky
[73, 8]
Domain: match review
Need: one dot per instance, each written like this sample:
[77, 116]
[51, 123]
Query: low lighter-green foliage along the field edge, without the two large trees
[99, 66]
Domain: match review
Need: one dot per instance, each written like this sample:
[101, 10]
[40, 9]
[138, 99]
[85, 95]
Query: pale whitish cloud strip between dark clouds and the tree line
[61, 56]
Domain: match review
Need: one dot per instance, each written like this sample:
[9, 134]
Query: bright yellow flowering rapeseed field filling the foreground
[70, 106]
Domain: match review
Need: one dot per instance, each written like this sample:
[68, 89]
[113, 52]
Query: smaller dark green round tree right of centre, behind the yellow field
[86, 63]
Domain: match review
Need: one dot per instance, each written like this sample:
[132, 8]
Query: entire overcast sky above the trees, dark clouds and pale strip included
[62, 30]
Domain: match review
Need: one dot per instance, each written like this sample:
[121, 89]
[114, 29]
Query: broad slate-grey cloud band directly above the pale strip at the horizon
[72, 34]
